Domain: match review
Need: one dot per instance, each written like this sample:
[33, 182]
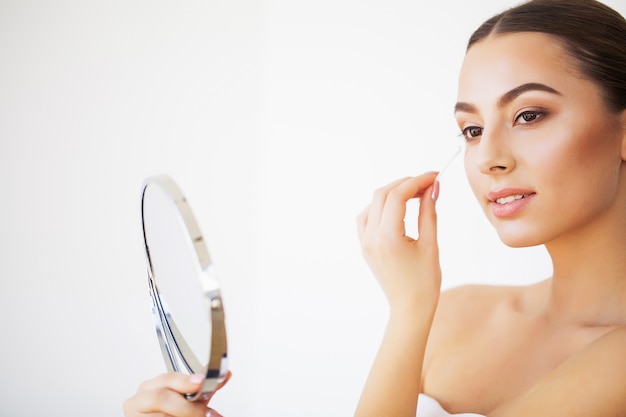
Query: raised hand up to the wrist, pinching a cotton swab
[407, 269]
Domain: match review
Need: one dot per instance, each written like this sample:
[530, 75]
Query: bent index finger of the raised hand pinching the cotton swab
[392, 220]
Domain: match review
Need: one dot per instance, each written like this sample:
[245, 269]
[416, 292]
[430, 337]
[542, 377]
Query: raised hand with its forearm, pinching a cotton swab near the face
[409, 273]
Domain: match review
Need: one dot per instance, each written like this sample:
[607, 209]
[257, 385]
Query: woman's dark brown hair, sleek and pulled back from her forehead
[592, 33]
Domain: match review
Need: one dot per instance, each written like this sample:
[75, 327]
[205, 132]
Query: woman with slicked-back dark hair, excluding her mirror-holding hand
[542, 106]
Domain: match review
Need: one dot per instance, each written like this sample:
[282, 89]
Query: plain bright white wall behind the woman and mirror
[278, 119]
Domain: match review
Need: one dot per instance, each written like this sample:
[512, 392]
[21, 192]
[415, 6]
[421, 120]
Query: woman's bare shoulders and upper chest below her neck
[479, 331]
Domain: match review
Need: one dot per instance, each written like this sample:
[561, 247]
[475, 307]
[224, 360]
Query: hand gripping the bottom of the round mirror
[164, 396]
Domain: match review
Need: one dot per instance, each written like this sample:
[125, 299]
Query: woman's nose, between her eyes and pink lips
[493, 153]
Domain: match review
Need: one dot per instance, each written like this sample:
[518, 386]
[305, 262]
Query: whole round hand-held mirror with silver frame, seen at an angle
[186, 301]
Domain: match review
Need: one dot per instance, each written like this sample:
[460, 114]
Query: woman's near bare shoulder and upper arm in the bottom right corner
[594, 380]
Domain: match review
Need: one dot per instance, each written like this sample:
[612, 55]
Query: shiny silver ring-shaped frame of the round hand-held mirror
[176, 352]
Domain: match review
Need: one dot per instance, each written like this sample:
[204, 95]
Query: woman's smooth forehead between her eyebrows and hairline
[501, 62]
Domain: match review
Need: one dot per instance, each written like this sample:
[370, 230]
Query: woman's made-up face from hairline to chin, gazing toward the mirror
[544, 154]
